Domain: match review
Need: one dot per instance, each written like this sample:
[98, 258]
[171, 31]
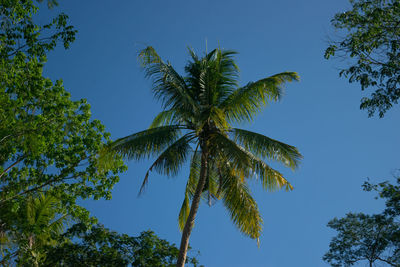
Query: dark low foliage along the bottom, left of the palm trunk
[99, 246]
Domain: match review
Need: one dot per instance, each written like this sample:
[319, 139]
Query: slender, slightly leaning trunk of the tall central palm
[193, 209]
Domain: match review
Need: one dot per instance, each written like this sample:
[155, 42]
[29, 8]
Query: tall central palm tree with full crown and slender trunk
[196, 123]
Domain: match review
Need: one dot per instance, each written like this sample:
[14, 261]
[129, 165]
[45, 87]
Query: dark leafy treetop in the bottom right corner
[364, 237]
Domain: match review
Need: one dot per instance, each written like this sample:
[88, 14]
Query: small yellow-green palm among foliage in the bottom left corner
[35, 225]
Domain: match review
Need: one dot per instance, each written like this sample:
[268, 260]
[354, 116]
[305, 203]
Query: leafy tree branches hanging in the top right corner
[372, 40]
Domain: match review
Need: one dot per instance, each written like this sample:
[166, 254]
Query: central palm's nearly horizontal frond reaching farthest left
[145, 143]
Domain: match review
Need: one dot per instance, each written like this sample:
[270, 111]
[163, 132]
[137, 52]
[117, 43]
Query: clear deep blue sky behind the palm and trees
[319, 115]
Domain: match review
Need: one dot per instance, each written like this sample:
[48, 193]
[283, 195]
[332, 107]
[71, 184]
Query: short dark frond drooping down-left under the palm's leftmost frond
[171, 159]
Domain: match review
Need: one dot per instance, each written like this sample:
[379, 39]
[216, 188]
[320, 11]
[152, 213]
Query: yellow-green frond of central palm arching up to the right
[246, 102]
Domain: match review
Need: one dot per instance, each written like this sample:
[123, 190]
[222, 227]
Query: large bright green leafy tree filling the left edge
[48, 143]
